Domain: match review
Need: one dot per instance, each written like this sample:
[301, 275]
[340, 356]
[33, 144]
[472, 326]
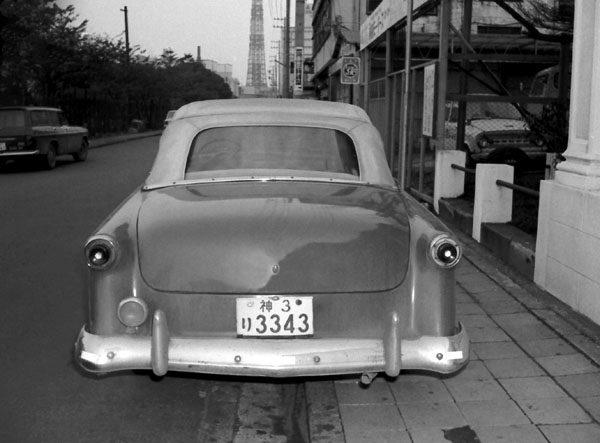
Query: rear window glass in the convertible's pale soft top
[272, 150]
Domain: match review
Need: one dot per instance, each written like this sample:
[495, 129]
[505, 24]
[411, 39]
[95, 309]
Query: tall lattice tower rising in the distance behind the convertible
[257, 74]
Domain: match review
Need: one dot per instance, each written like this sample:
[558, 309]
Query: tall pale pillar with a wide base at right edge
[568, 237]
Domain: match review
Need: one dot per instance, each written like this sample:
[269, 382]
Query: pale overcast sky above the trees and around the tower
[220, 27]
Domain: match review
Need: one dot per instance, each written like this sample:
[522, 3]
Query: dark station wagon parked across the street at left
[40, 134]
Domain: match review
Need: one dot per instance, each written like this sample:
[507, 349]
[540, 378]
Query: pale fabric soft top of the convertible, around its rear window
[191, 119]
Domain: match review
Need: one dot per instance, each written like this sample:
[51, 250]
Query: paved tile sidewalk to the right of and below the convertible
[534, 375]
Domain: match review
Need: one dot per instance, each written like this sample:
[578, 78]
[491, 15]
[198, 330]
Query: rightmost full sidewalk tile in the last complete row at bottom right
[553, 411]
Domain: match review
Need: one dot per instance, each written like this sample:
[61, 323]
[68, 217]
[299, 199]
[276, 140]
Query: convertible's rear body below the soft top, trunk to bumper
[273, 280]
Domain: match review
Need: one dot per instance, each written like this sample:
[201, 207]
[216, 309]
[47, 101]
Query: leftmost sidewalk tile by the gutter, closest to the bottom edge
[370, 418]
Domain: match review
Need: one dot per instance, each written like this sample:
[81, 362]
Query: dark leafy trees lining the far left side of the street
[49, 59]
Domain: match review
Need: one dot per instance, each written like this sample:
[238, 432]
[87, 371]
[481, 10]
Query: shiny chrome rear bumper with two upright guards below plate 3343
[270, 357]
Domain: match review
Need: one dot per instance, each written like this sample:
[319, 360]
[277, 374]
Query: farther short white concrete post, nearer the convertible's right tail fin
[449, 183]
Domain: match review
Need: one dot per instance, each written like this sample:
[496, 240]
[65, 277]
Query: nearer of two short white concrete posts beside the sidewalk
[493, 203]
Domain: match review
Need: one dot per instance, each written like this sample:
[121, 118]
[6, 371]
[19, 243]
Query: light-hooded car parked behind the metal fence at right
[495, 132]
